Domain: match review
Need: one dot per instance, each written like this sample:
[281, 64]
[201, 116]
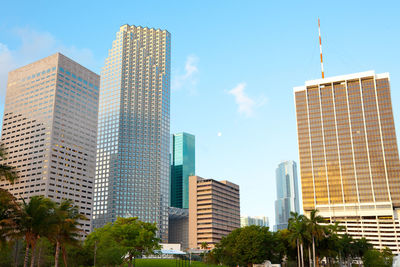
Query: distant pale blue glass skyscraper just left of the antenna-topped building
[287, 193]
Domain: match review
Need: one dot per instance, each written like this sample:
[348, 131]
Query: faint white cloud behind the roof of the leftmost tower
[35, 45]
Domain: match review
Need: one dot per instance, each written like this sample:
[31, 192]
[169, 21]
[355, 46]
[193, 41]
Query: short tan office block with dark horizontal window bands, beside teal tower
[214, 210]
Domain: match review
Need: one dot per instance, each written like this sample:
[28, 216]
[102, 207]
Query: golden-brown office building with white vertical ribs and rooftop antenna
[349, 161]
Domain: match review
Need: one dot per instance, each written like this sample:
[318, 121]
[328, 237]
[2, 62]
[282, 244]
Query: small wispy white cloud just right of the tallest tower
[189, 77]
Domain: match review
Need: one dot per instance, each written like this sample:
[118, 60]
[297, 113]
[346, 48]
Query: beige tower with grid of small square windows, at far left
[50, 129]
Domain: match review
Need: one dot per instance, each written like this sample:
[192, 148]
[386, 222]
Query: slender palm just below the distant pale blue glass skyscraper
[298, 234]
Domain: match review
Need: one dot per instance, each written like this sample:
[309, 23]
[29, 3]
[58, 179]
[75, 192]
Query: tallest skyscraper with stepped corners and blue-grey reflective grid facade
[133, 167]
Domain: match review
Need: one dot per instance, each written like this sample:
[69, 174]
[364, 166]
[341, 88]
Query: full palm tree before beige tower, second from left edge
[33, 222]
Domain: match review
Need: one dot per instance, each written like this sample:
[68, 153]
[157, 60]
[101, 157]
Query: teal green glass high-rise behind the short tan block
[183, 166]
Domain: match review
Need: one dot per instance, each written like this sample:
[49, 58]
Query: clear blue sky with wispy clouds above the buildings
[234, 64]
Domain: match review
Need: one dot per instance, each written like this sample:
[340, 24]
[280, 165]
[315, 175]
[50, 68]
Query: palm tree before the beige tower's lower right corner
[65, 228]
